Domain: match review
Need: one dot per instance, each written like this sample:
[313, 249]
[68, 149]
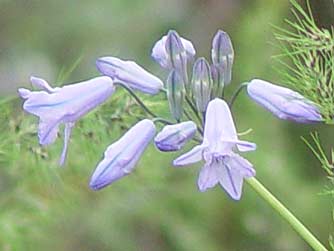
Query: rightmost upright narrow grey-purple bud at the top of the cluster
[222, 55]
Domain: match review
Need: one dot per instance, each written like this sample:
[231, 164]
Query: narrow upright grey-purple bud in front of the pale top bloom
[177, 54]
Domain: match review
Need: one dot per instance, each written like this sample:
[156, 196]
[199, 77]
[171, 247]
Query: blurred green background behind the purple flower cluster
[44, 207]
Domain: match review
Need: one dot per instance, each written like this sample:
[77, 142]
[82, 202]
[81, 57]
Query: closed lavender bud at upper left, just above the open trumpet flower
[130, 74]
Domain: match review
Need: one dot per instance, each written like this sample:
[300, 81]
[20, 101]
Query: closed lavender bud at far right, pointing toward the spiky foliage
[283, 102]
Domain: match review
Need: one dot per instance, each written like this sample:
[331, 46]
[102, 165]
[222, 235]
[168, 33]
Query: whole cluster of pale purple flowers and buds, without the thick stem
[197, 106]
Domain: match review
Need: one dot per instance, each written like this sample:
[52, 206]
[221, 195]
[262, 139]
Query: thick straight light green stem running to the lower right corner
[286, 214]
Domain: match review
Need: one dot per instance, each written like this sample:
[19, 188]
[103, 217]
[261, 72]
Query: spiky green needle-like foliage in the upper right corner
[311, 51]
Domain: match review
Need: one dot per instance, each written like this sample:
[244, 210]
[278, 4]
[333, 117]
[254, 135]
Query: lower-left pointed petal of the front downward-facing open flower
[208, 176]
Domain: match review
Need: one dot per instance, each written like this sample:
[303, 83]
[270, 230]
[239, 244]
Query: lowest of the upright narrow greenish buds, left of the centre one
[175, 94]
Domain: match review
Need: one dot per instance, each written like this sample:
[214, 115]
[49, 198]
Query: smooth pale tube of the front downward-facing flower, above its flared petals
[219, 125]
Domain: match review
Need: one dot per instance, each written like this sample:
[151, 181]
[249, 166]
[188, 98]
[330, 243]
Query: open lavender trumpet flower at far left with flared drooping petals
[65, 105]
